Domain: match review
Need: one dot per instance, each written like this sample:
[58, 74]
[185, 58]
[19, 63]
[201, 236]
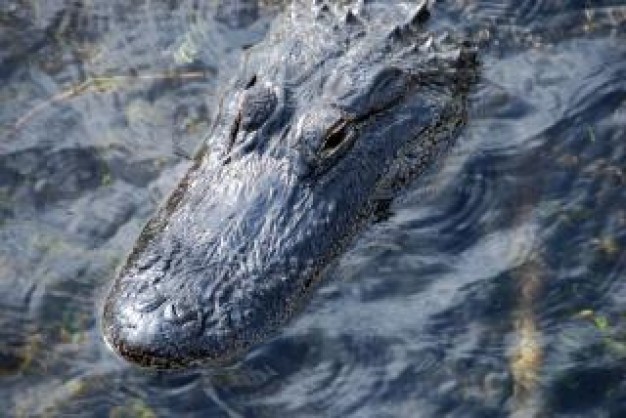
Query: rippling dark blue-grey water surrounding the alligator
[494, 288]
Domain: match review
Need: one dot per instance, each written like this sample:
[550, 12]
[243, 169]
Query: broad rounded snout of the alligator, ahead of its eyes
[206, 280]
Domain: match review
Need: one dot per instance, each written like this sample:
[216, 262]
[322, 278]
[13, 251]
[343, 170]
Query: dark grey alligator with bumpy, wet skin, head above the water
[327, 119]
